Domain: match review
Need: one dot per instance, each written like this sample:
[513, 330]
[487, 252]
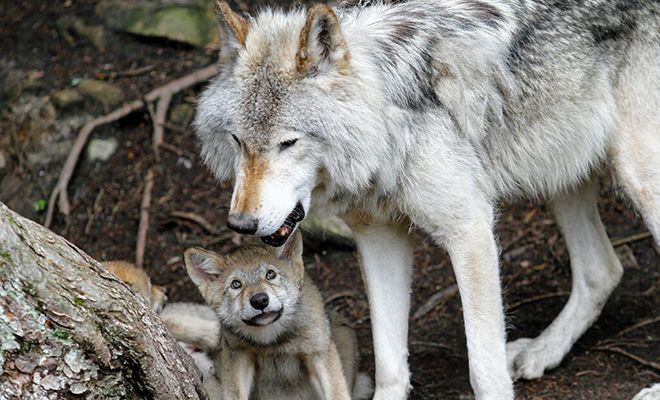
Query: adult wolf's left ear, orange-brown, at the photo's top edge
[233, 31]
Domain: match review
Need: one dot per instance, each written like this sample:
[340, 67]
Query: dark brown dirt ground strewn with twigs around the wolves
[106, 198]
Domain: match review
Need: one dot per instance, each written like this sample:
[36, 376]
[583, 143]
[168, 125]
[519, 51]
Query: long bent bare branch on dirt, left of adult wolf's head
[59, 193]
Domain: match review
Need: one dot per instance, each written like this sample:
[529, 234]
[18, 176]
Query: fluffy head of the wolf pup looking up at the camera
[255, 291]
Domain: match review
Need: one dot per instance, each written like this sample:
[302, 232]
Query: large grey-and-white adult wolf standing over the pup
[423, 114]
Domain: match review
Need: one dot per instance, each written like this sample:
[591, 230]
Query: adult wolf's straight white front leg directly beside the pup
[387, 268]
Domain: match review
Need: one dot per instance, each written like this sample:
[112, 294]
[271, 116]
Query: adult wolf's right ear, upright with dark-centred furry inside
[322, 45]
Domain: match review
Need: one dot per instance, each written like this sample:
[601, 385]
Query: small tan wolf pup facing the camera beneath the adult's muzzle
[277, 342]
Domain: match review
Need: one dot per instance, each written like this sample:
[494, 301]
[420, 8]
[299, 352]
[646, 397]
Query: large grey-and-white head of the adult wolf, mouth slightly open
[282, 115]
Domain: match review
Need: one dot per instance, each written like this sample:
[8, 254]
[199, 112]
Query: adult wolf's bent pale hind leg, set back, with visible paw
[596, 272]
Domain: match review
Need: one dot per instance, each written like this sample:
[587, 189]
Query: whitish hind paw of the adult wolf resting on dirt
[524, 361]
